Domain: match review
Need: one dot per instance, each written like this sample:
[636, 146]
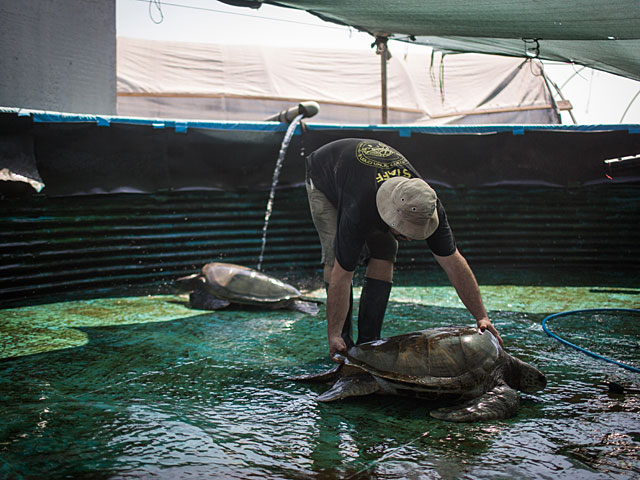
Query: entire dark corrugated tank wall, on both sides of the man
[50, 246]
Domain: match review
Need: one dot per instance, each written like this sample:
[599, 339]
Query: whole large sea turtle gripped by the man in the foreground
[467, 372]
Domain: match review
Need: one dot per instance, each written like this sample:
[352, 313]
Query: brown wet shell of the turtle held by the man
[441, 359]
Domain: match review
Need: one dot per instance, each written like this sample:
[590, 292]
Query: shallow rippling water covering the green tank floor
[145, 387]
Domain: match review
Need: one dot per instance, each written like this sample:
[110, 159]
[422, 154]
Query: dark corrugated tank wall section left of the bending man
[92, 242]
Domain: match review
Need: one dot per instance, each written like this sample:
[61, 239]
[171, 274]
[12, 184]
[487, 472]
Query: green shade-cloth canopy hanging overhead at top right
[602, 35]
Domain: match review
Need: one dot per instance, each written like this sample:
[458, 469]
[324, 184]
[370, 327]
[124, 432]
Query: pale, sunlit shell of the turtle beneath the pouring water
[240, 284]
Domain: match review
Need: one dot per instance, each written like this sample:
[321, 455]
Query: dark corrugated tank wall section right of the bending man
[584, 227]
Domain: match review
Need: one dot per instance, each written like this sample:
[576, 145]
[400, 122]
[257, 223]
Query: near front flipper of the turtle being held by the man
[501, 402]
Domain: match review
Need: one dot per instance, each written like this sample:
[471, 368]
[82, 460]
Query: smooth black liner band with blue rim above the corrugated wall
[82, 154]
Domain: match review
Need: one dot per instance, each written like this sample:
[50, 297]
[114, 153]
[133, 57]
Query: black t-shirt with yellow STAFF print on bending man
[349, 173]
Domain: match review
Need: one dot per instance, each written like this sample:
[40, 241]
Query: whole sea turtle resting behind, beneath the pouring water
[222, 284]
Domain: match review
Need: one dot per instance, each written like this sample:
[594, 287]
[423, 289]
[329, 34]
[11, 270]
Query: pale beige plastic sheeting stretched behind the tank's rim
[229, 82]
